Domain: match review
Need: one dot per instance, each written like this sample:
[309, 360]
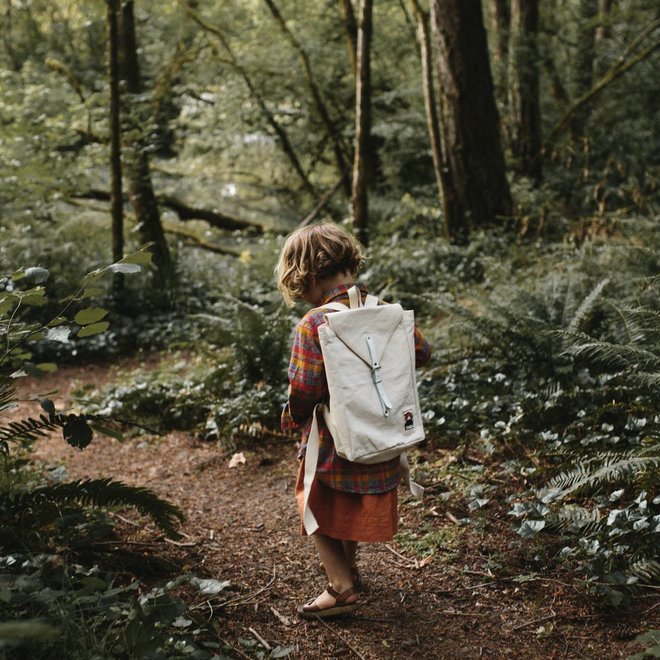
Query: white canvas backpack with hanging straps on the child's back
[373, 412]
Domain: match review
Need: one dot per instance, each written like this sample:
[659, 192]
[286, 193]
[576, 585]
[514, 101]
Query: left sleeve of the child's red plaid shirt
[307, 384]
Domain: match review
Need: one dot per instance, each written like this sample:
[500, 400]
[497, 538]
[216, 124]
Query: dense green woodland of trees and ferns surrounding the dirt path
[498, 158]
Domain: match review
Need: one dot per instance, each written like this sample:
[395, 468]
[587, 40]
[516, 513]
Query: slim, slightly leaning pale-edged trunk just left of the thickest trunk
[430, 106]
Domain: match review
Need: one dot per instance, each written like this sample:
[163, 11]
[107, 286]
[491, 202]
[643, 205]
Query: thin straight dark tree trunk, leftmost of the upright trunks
[116, 194]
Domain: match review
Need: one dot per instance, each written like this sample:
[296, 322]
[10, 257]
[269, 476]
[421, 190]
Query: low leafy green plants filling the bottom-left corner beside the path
[79, 612]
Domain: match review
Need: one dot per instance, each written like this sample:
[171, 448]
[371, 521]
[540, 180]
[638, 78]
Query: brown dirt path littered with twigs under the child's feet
[242, 526]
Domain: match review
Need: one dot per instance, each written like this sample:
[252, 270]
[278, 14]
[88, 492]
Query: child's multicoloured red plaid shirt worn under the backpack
[308, 386]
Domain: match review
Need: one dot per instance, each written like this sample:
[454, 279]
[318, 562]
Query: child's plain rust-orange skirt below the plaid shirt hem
[349, 516]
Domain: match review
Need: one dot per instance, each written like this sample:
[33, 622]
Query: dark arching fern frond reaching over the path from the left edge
[93, 493]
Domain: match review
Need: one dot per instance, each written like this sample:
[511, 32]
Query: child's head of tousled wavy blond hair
[315, 253]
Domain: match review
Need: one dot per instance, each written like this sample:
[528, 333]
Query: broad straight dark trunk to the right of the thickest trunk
[524, 102]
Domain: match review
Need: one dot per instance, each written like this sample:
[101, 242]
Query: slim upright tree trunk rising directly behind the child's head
[361, 165]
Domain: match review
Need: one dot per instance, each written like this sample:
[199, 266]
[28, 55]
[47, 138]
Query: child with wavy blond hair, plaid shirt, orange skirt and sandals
[352, 502]
